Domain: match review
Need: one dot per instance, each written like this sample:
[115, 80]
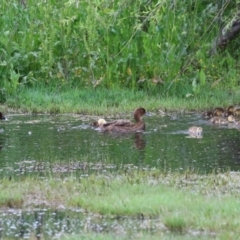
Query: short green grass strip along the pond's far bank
[103, 101]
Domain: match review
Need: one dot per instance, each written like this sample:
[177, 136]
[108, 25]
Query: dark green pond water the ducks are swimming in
[35, 143]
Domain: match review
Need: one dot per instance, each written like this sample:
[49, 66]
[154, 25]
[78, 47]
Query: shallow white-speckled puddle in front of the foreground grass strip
[49, 224]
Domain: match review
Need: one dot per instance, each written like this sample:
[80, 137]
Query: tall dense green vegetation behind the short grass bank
[159, 47]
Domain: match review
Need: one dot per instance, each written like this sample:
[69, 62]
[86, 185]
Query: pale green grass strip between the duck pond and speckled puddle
[182, 201]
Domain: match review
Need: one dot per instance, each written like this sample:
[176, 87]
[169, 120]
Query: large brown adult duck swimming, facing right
[122, 125]
